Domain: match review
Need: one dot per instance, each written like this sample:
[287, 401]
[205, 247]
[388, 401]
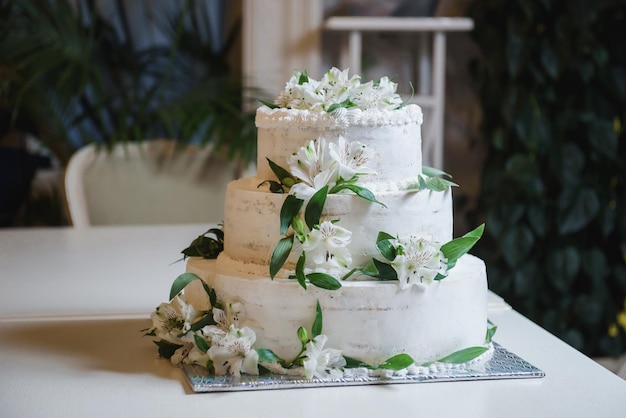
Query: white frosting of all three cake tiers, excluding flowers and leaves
[368, 320]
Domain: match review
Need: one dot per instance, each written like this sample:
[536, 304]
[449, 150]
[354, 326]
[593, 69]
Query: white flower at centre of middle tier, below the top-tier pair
[327, 246]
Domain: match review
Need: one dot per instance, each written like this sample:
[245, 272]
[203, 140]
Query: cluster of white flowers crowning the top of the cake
[336, 90]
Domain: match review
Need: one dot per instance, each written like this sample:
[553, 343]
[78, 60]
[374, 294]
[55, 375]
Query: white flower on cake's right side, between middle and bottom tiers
[418, 261]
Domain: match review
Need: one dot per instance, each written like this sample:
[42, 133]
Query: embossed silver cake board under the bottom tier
[502, 365]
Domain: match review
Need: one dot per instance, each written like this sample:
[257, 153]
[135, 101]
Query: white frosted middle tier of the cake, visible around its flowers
[252, 222]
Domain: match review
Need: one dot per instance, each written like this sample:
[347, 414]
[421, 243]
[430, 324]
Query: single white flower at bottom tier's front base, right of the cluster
[320, 362]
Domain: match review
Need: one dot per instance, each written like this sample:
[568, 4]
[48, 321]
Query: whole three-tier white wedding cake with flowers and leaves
[337, 254]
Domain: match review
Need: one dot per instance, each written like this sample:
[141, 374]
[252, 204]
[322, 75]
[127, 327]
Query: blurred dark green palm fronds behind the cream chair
[108, 72]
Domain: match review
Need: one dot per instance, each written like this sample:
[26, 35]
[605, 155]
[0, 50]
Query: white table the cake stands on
[73, 302]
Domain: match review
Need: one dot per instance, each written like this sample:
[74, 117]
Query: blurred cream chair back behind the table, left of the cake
[149, 182]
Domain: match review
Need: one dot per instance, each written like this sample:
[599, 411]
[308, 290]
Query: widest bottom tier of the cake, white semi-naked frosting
[370, 321]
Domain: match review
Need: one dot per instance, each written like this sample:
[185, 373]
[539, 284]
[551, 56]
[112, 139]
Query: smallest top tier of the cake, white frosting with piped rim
[394, 136]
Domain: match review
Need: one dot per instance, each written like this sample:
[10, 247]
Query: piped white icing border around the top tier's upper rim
[281, 118]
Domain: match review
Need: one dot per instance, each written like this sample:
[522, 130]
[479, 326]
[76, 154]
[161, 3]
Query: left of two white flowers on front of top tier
[312, 165]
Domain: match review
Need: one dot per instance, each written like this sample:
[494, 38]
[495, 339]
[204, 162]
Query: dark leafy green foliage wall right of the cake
[553, 92]
